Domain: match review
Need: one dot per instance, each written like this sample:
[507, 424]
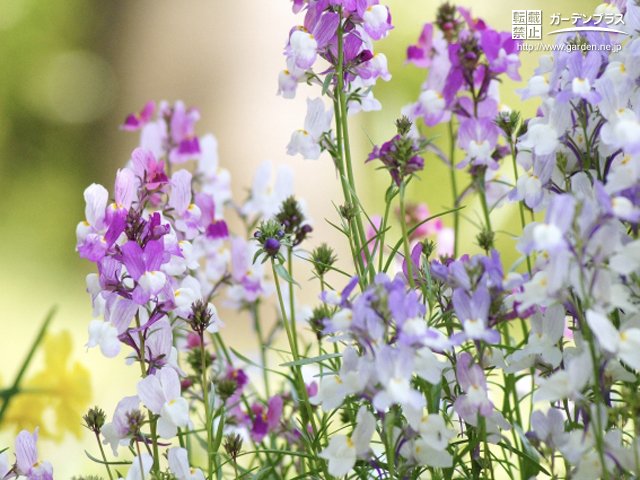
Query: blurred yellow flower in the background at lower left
[60, 388]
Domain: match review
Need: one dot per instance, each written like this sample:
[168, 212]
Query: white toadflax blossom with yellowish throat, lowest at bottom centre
[343, 451]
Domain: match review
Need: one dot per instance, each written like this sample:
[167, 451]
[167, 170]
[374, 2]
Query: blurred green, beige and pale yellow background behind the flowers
[69, 73]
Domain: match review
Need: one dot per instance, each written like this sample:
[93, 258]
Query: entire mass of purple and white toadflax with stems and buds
[428, 363]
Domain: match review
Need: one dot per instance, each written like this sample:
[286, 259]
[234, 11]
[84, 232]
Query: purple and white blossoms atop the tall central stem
[340, 33]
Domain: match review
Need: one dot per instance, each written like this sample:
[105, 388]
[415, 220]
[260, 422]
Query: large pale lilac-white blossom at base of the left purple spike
[160, 393]
